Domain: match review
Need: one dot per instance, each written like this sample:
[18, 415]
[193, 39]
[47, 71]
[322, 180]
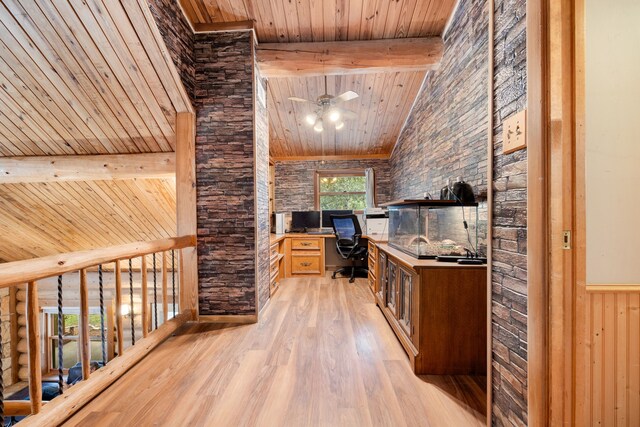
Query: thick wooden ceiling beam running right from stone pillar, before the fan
[352, 57]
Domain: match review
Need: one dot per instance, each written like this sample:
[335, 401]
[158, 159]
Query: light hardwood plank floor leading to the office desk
[321, 355]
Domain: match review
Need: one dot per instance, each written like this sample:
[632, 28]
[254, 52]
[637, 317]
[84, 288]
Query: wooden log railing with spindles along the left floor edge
[30, 272]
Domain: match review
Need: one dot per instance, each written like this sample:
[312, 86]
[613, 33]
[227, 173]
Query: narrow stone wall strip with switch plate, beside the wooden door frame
[509, 275]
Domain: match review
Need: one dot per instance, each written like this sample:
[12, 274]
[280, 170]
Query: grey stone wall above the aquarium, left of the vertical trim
[446, 133]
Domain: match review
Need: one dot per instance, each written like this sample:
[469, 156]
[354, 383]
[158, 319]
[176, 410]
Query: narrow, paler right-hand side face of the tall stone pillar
[262, 191]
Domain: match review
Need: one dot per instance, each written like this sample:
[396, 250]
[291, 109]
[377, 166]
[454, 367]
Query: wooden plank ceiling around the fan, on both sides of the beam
[385, 98]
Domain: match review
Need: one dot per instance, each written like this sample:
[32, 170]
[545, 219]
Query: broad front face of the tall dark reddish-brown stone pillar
[225, 160]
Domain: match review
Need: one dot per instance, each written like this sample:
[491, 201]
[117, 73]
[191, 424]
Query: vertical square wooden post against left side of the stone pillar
[186, 208]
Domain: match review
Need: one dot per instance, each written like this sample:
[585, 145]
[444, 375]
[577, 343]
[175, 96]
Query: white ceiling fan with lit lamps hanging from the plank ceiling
[327, 109]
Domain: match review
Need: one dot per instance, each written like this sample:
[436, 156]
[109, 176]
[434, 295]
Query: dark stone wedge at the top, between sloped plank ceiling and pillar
[178, 37]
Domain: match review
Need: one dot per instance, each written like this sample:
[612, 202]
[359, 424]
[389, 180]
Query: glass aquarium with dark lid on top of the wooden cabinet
[431, 228]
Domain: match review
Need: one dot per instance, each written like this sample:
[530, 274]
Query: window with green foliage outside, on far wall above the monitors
[340, 189]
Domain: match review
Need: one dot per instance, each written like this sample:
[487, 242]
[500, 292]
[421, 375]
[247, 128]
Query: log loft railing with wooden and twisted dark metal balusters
[158, 261]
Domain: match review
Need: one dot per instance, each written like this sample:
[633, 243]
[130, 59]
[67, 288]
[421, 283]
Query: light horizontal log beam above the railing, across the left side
[14, 170]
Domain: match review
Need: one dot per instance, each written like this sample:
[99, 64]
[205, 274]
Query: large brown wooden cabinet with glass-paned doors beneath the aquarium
[438, 311]
